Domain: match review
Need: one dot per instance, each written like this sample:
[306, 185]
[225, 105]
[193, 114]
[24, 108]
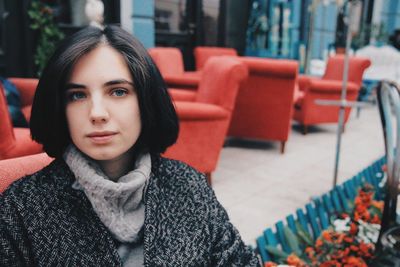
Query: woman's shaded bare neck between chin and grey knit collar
[118, 167]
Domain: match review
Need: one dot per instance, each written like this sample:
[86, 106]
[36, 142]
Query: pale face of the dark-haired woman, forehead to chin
[102, 106]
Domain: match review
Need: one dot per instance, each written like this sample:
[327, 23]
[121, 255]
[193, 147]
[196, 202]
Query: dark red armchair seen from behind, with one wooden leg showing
[264, 105]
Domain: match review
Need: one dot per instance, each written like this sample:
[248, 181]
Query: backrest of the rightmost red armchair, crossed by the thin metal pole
[357, 66]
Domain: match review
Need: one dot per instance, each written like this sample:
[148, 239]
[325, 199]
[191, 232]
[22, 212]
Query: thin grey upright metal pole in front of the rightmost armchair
[344, 91]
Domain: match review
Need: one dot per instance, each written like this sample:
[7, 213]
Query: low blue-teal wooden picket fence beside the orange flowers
[314, 218]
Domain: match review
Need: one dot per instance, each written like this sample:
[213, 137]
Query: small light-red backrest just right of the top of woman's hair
[169, 60]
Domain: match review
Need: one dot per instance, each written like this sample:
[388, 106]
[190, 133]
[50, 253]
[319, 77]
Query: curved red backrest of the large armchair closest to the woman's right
[220, 81]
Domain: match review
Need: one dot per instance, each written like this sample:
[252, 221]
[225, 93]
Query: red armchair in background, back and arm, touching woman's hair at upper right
[169, 61]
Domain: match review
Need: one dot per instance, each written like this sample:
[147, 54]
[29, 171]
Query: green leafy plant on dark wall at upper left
[42, 21]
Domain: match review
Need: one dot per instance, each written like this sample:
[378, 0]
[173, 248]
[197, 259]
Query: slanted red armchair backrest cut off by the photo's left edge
[7, 138]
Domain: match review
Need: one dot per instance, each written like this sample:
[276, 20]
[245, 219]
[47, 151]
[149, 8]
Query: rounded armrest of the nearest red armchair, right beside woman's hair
[200, 111]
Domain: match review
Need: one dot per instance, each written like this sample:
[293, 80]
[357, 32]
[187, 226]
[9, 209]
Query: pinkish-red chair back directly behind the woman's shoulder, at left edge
[13, 169]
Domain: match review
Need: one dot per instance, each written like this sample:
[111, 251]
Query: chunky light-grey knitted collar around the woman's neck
[119, 204]
